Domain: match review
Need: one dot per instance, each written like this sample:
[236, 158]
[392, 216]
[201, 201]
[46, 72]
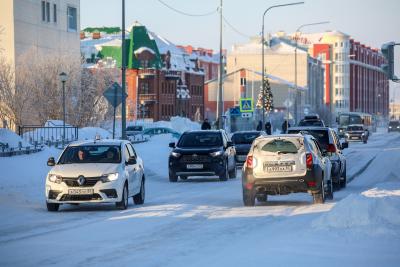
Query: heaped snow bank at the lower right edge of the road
[375, 211]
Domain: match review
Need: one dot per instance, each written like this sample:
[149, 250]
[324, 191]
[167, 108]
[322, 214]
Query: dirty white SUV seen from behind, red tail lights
[283, 164]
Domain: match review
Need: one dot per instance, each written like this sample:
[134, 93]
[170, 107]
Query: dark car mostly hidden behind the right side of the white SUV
[331, 147]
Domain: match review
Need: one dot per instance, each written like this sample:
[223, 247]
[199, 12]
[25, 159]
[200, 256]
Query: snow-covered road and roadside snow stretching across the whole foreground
[203, 222]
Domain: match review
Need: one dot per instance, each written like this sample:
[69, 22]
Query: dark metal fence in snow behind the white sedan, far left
[47, 135]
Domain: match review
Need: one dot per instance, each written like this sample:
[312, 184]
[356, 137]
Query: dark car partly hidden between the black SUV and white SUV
[242, 142]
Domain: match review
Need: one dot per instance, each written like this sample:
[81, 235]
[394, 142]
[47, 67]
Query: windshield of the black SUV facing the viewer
[200, 140]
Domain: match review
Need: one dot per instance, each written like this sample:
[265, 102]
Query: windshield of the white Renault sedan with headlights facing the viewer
[91, 154]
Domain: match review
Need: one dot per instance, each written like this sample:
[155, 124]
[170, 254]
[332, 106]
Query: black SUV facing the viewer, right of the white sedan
[202, 153]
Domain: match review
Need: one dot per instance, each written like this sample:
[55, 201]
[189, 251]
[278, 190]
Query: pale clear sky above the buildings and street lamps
[371, 22]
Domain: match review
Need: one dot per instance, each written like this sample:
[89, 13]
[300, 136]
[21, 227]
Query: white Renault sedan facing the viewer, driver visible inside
[96, 171]
